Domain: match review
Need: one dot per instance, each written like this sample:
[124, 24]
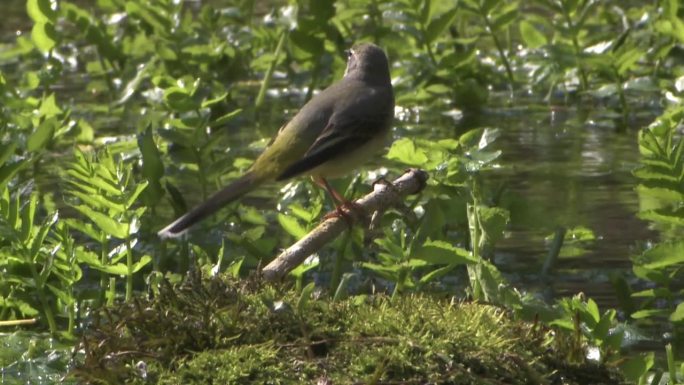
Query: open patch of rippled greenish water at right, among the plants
[563, 169]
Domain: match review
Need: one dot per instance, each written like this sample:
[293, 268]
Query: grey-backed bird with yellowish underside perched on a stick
[334, 133]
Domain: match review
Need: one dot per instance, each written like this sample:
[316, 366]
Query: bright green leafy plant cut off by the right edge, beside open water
[661, 193]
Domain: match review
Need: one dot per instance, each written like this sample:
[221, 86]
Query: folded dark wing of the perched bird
[338, 138]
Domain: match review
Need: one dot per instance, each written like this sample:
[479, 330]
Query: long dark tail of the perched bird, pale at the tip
[239, 187]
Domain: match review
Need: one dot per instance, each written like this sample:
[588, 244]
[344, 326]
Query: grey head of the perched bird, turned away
[368, 62]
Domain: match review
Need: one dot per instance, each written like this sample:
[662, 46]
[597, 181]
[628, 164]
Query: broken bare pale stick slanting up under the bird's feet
[382, 198]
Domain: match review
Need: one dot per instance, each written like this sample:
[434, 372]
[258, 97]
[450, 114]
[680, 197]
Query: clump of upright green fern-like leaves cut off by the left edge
[38, 274]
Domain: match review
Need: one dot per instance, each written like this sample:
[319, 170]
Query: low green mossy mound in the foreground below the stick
[220, 331]
